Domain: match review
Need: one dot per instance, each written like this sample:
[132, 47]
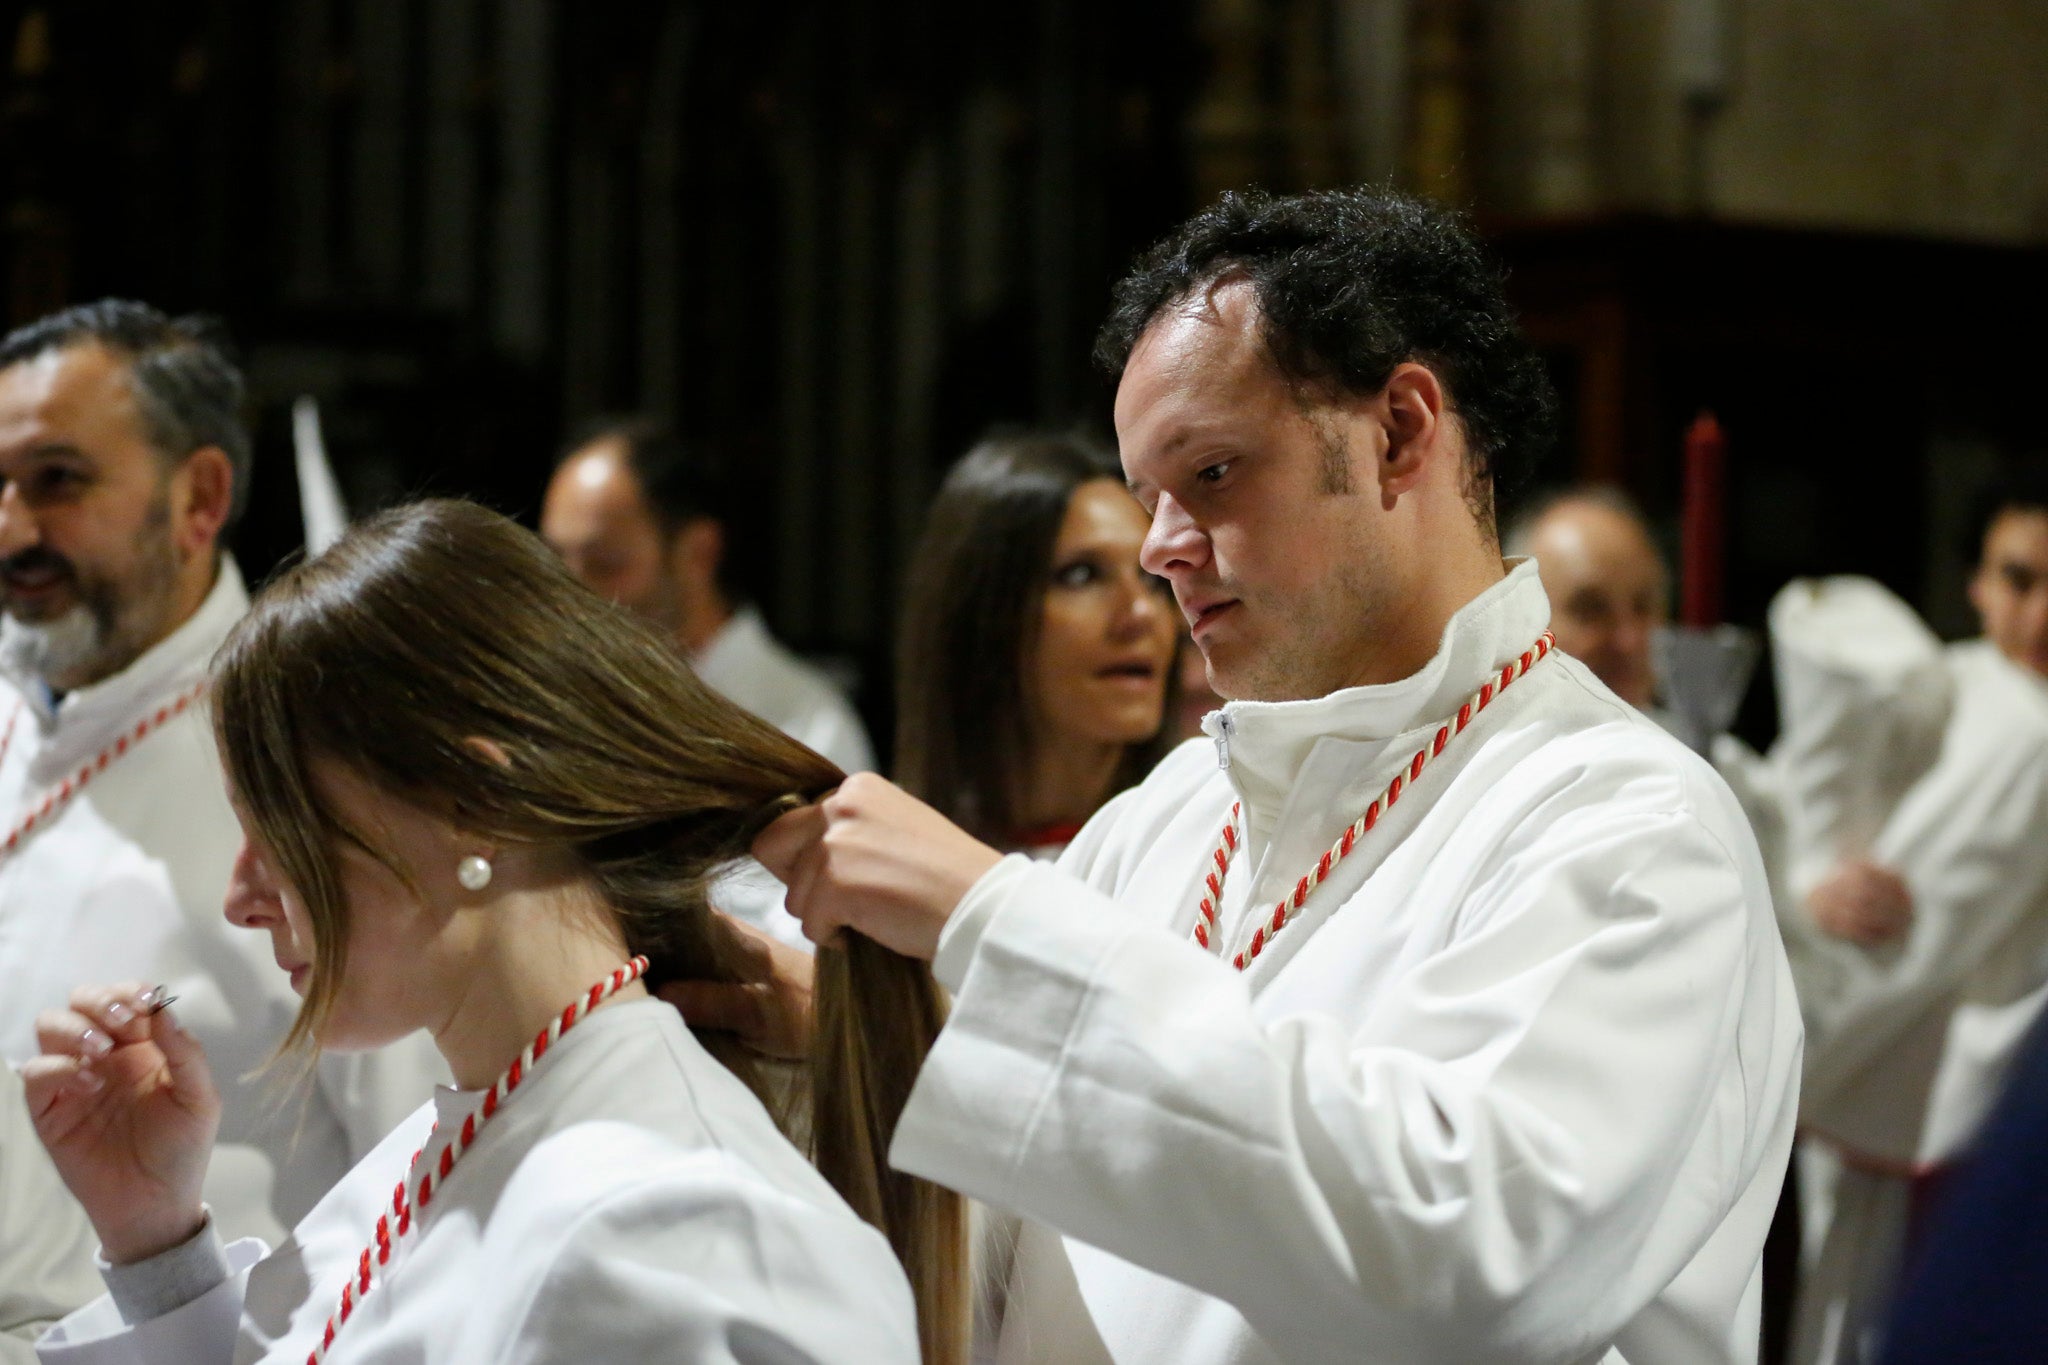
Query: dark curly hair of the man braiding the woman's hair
[1353, 283]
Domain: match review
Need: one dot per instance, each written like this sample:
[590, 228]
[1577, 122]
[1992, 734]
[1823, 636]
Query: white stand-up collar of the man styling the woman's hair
[1267, 746]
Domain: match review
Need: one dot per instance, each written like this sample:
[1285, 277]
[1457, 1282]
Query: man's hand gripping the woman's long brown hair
[878, 861]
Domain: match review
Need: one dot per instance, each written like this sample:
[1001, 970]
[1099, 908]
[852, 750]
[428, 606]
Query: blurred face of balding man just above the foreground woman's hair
[603, 529]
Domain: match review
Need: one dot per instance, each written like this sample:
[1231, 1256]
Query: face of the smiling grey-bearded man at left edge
[89, 560]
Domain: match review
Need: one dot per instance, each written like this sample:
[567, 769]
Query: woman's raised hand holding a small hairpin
[128, 1110]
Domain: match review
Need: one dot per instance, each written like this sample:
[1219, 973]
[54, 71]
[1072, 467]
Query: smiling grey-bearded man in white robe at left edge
[124, 461]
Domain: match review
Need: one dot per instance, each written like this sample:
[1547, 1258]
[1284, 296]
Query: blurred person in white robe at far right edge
[1918, 793]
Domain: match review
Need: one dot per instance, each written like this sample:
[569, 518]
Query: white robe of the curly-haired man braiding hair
[1519, 1086]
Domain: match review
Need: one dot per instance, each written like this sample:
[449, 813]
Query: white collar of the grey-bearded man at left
[89, 717]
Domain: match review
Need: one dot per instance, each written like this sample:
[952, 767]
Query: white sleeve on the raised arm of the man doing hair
[1471, 1174]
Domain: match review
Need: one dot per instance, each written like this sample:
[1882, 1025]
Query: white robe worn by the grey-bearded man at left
[126, 885]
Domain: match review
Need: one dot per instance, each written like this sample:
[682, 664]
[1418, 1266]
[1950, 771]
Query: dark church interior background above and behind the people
[841, 240]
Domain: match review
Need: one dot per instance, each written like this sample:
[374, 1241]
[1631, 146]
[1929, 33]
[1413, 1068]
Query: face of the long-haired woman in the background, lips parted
[1107, 631]
